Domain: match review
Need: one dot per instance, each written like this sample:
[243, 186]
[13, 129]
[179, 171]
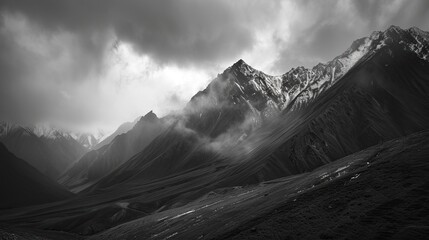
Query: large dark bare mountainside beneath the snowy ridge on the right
[384, 96]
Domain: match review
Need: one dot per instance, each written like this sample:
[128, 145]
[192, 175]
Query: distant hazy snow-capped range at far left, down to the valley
[52, 150]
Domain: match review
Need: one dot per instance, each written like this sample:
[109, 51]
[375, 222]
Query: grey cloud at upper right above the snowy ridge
[329, 27]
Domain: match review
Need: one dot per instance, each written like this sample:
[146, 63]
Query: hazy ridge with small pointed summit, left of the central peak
[97, 163]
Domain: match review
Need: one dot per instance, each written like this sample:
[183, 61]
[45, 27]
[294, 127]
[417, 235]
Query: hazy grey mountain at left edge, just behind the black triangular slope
[49, 151]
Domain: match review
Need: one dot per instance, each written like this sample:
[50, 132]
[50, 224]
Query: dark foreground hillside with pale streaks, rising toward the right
[379, 193]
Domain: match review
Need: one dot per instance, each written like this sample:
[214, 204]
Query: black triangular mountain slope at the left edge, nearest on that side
[22, 185]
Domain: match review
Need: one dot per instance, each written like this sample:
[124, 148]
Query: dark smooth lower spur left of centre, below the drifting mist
[170, 153]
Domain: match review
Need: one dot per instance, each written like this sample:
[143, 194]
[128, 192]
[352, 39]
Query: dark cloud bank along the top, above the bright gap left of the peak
[170, 31]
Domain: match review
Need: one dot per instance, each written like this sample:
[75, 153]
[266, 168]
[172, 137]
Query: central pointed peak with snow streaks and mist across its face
[239, 99]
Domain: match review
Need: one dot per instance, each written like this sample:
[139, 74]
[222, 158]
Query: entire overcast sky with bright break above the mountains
[89, 64]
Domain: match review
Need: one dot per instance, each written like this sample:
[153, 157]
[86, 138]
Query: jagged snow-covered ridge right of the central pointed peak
[301, 85]
